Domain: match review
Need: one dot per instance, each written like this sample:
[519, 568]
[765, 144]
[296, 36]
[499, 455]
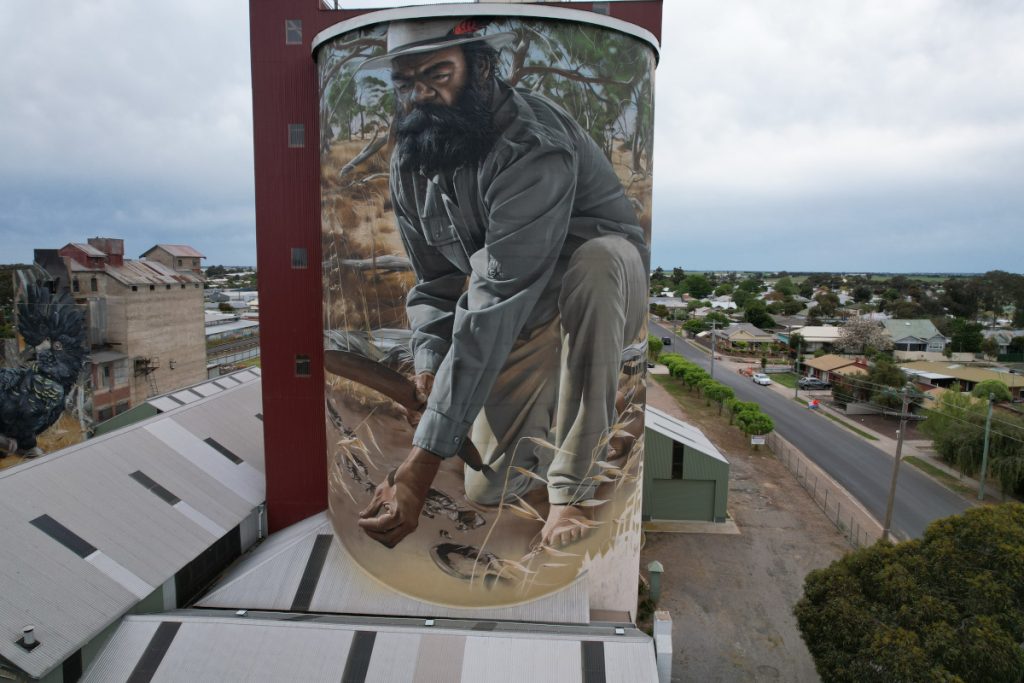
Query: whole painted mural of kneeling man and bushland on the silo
[487, 196]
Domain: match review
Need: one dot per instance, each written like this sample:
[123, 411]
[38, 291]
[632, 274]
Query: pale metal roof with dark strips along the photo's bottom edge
[206, 646]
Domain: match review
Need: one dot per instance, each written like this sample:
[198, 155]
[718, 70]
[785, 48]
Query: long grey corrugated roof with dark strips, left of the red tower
[88, 494]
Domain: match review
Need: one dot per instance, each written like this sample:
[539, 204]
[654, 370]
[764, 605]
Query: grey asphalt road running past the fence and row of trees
[861, 467]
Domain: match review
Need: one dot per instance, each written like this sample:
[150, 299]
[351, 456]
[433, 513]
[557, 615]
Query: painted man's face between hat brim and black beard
[433, 78]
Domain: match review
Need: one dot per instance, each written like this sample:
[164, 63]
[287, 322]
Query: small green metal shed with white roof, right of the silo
[686, 477]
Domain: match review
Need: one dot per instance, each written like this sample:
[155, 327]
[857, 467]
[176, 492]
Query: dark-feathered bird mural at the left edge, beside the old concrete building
[33, 397]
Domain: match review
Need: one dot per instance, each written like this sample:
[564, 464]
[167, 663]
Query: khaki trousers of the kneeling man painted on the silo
[554, 401]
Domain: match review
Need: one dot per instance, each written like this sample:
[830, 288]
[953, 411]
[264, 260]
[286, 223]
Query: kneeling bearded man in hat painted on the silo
[532, 279]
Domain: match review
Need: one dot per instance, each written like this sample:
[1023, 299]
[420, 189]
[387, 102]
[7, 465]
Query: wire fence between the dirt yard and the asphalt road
[839, 507]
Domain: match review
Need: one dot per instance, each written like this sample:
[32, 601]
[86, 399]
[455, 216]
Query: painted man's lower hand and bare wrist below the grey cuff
[395, 510]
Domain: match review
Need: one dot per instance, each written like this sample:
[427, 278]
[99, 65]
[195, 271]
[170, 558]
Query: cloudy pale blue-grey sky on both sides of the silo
[821, 136]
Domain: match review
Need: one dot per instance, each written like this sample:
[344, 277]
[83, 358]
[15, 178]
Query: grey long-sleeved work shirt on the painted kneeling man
[510, 225]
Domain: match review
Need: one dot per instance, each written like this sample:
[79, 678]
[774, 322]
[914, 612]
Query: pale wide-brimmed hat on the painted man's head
[418, 37]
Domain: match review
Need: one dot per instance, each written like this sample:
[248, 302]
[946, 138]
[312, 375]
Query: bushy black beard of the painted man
[434, 139]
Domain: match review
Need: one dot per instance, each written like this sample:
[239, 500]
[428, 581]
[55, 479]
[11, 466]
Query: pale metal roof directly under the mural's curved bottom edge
[269, 578]
